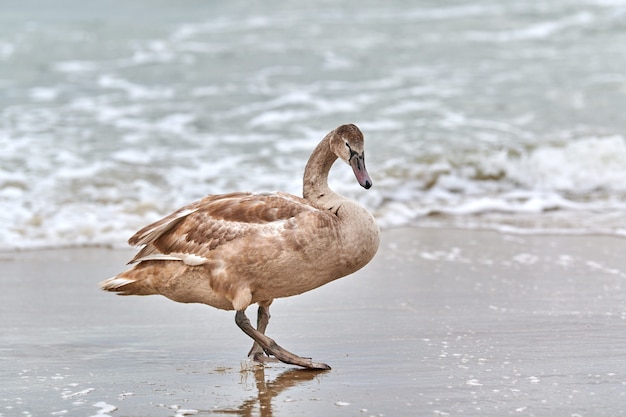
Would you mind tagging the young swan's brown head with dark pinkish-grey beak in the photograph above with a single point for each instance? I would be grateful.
(347, 144)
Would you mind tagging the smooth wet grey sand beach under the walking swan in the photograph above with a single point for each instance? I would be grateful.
(442, 322)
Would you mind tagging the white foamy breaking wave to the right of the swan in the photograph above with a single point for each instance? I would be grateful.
(568, 182)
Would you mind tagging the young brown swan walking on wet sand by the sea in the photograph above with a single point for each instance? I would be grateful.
(233, 250)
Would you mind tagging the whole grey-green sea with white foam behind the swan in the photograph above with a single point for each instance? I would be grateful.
(484, 114)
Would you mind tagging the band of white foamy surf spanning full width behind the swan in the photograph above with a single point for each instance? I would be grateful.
(573, 187)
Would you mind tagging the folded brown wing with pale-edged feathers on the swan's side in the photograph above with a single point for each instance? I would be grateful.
(192, 232)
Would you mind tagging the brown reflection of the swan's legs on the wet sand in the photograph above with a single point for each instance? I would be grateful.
(267, 390)
